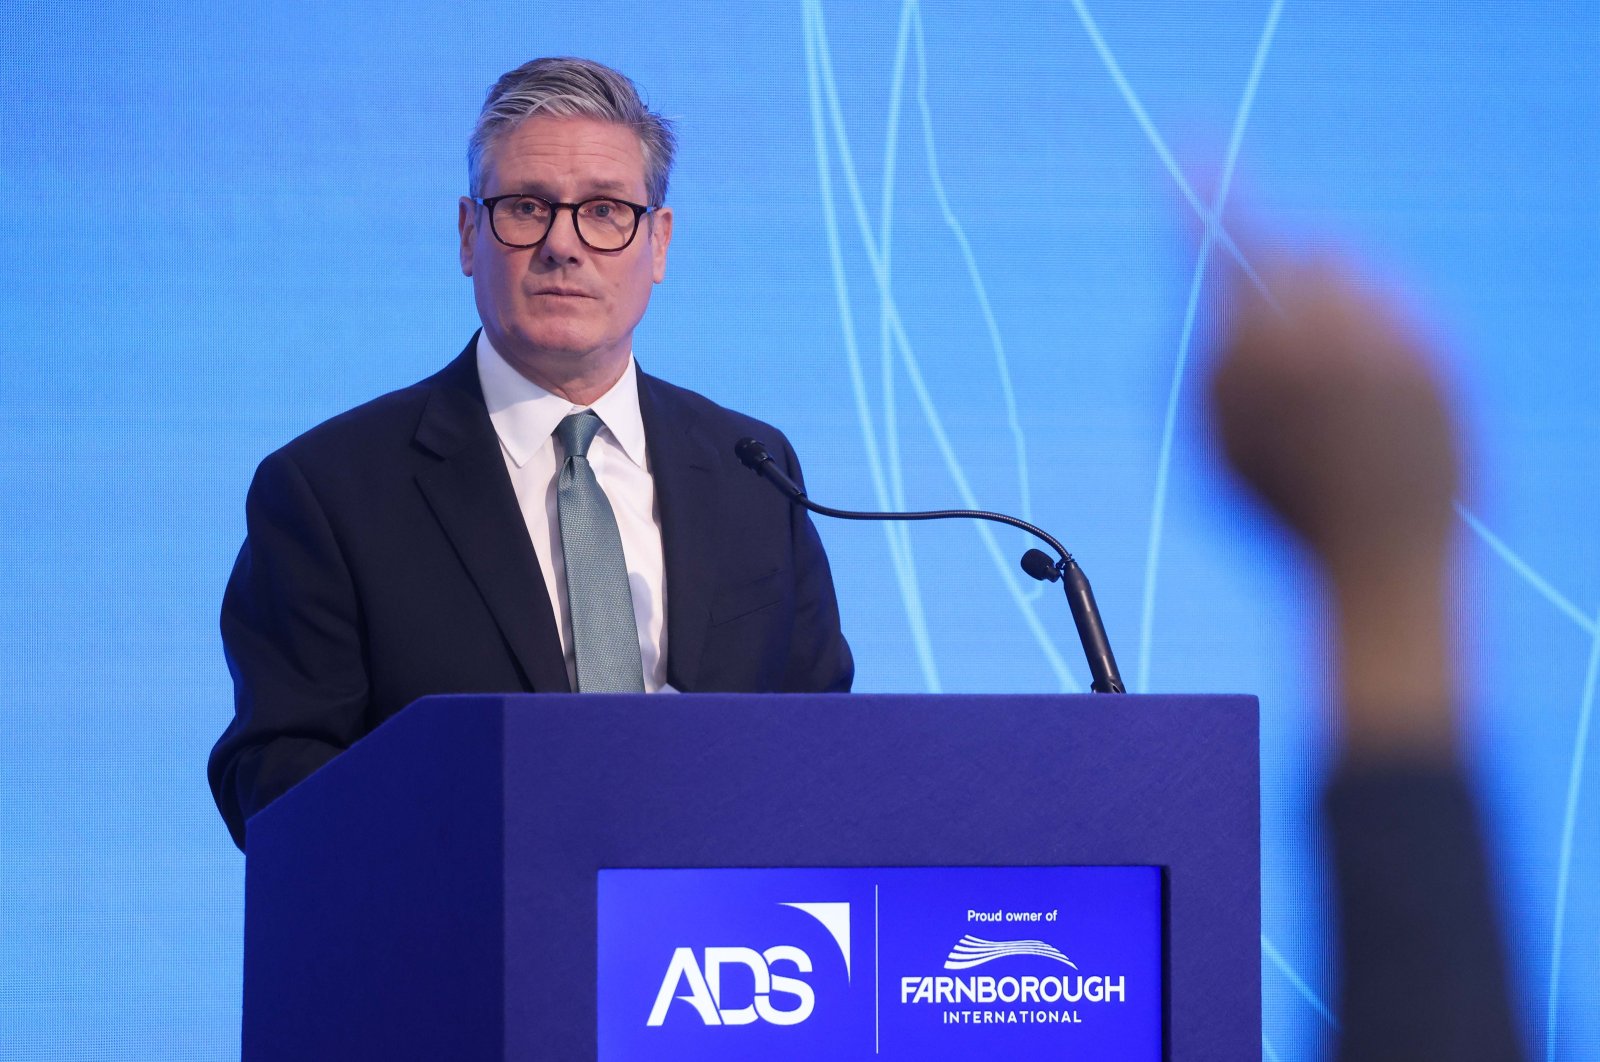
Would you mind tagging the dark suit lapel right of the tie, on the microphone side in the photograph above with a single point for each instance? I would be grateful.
(682, 463)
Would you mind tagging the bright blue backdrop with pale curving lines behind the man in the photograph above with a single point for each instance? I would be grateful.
(223, 225)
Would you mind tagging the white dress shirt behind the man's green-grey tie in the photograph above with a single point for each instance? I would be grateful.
(526, 418)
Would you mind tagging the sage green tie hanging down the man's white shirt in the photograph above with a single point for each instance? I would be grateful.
(606, 636)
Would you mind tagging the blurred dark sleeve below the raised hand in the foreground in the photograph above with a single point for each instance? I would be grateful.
(1423, 962)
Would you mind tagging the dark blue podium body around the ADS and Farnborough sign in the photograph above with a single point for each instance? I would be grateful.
(433, 892)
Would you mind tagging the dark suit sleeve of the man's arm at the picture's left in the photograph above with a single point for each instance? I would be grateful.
(292, 636)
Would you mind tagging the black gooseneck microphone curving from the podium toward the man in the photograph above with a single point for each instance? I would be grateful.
(1081, 599)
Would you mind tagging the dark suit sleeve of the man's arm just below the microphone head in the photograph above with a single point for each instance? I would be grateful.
(820, 658)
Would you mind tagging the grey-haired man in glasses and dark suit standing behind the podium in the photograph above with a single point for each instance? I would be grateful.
(471, 535)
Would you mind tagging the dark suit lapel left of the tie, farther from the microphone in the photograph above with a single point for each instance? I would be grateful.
(474, 503)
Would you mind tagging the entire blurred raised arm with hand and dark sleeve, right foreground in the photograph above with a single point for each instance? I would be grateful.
(1330, 412)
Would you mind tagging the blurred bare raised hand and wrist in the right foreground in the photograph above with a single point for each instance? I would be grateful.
(1332, 410)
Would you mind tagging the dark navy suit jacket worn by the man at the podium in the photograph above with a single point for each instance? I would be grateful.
(386, 559)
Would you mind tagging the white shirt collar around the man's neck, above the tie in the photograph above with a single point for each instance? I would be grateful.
(526, 415)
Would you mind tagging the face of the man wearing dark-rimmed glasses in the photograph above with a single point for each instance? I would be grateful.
(562, 311)
